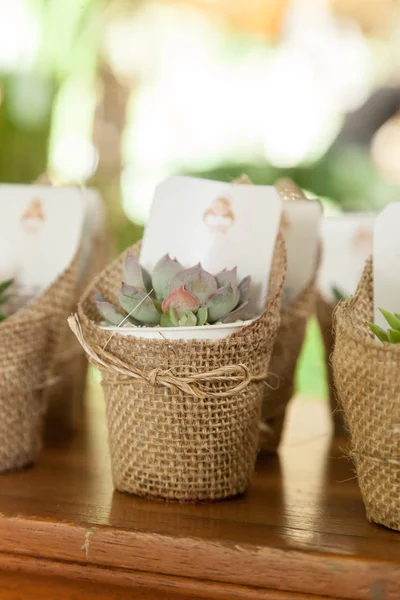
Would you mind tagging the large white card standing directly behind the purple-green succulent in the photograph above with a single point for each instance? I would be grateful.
(222, 225)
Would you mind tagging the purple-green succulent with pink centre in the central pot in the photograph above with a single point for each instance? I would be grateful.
(176, 297)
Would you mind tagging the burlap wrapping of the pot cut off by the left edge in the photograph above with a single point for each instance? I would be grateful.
(28, 340)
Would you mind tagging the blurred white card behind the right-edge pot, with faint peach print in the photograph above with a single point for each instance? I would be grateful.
(347, 241)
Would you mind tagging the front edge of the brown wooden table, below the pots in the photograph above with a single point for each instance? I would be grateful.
(130, 555)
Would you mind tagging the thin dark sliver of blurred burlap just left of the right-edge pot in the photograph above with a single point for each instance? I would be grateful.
(324, 314)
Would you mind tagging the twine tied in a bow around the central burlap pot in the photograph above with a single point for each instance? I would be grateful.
(183, 377)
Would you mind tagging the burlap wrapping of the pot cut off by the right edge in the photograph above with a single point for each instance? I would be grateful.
(367, 380)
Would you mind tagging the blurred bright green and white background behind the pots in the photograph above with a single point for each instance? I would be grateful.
(121, 94)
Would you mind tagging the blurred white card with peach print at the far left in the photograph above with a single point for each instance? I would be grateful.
(40, 231)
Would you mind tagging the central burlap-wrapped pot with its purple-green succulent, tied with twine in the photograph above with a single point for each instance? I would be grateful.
(183, 373)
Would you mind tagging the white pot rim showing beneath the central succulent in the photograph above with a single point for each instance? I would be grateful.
(204, 332)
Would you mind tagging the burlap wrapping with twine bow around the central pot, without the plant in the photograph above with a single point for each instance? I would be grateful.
(182, 415)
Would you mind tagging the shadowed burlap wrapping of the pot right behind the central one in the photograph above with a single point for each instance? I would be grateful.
(282, 367)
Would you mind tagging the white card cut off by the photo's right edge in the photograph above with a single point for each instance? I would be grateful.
(387, 262)
